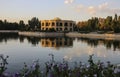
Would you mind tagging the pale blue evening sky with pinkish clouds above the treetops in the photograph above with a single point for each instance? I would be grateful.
(77, 10)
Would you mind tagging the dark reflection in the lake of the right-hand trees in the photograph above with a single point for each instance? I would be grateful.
(109, 44)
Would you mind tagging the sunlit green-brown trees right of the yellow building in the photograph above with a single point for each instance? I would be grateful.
(100, 24)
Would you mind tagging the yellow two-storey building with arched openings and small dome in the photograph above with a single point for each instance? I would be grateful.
(57, 25)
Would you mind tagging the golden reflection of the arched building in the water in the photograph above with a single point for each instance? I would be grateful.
(57, 42)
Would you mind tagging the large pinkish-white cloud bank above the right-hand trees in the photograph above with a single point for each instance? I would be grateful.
(93, 10)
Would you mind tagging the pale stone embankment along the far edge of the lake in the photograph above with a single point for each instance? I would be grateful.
(70, 34)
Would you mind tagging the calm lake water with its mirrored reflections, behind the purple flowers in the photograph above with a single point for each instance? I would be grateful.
(22, 49)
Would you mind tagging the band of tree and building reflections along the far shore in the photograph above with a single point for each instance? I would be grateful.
(60, 41)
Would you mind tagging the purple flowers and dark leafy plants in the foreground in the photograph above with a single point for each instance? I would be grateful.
(62, 69)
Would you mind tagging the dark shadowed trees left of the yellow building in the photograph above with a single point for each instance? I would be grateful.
(33, 25)
